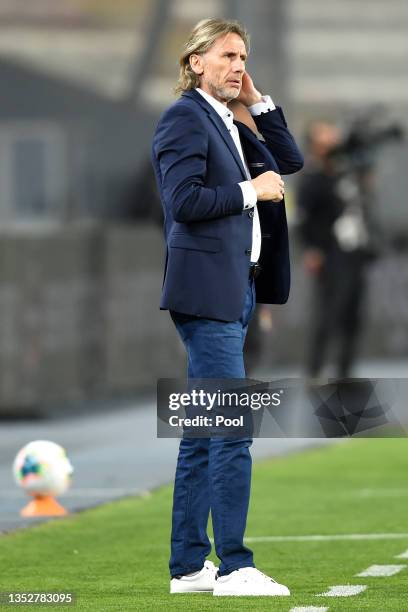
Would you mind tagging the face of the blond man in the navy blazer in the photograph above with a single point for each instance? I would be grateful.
(221, 67)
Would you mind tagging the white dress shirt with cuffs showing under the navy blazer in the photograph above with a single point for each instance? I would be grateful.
(248, 190)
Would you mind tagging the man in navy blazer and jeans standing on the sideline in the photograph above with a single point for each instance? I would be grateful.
(225, 225)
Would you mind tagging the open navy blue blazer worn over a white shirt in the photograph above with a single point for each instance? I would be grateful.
(208, 235)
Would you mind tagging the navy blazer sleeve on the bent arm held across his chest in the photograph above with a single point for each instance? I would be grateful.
(179, 153)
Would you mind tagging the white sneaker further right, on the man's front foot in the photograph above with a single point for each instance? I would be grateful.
(248, 581)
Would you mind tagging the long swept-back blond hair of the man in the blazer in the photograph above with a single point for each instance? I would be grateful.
(203, 36)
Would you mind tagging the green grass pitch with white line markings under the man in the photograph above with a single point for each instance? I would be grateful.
(115, 557)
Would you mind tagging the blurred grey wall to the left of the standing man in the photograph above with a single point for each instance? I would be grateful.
(79, 315)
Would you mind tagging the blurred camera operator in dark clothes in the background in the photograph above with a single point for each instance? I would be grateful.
(337, 232)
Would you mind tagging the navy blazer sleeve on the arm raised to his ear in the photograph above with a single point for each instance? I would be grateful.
(280, 142)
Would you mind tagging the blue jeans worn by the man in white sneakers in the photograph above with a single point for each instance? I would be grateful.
(212, 473)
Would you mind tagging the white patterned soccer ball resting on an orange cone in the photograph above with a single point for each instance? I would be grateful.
(42, 468)
